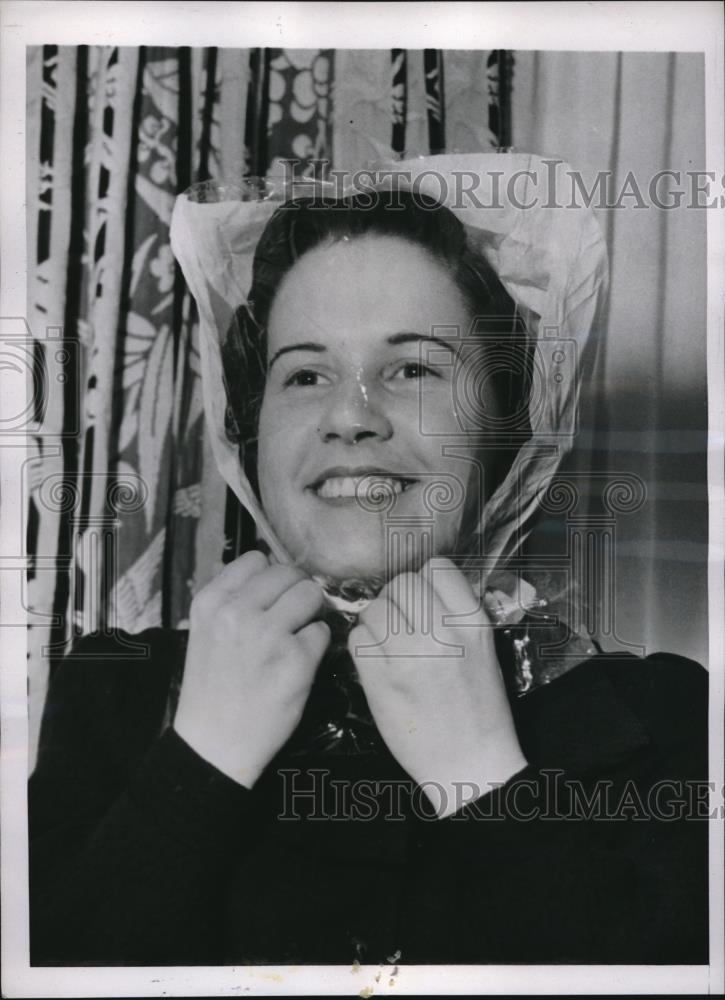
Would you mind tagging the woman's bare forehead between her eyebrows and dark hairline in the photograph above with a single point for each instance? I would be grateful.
(373, 282)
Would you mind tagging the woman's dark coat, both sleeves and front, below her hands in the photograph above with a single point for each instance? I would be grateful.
(142, 853)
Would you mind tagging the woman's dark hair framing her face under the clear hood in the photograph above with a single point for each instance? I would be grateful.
(302, 224)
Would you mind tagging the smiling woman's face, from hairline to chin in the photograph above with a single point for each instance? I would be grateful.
(359, 407)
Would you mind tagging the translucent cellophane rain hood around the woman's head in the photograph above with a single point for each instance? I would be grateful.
(551, 260)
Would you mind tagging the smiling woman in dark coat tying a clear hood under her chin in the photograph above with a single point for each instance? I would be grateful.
(281, 787)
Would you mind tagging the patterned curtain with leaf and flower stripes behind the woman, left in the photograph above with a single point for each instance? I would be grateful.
(127, 515)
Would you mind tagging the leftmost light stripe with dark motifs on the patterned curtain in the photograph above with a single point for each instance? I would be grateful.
(51, 101)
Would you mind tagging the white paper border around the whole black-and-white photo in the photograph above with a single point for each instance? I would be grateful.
(578, 26)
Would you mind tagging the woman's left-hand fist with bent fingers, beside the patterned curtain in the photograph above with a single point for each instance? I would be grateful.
(252, 655)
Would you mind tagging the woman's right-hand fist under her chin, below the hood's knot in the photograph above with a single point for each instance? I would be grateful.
(436, 690)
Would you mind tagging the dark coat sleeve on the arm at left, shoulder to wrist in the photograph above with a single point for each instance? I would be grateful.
(132, 834)
